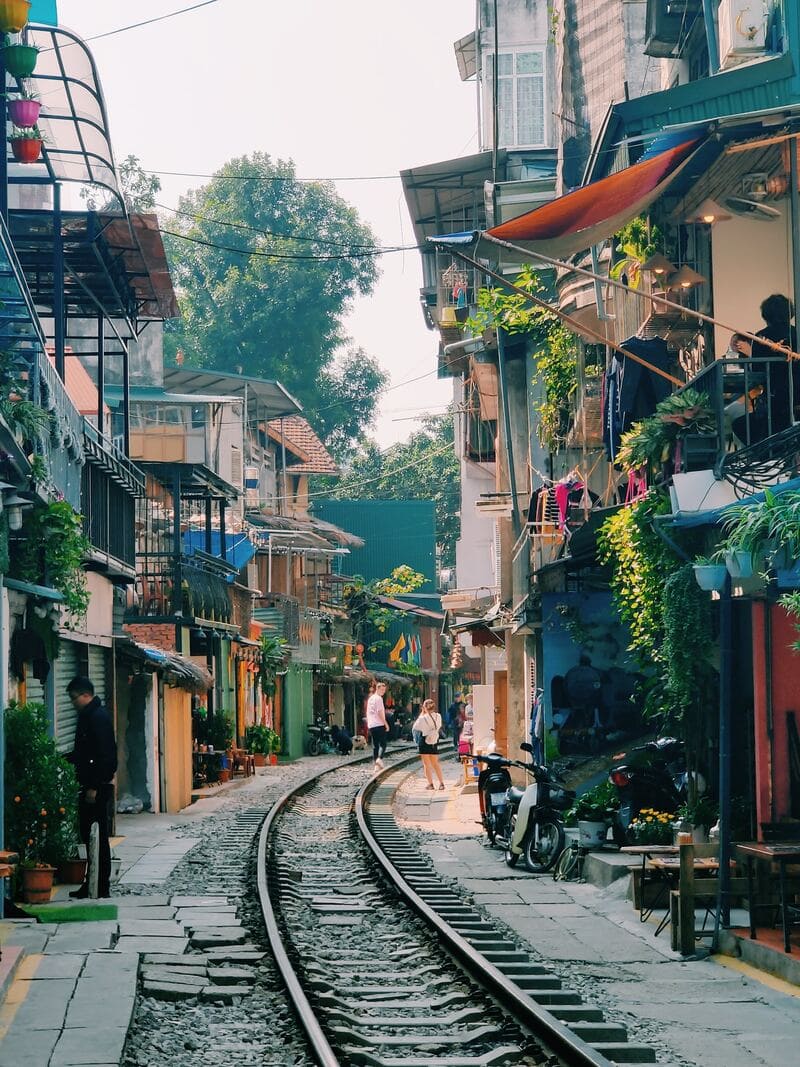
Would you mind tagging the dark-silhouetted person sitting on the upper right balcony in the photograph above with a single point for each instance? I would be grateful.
(774, 410)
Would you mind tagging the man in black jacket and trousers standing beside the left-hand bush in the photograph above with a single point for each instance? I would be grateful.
(95, 766)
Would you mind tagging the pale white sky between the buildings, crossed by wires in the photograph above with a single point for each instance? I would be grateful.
(345, 88)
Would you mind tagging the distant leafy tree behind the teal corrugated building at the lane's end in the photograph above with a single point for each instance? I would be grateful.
(424, 468)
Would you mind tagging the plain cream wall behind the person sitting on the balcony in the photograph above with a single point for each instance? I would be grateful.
(750, 261)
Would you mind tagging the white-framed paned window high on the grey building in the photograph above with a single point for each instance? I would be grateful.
(521, 117)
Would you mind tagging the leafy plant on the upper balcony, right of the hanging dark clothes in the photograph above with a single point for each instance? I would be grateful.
(651, 442)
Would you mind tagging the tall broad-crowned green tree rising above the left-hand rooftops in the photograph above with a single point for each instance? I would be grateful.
(278, 314)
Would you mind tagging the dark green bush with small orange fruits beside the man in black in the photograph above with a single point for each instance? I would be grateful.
(41, 790)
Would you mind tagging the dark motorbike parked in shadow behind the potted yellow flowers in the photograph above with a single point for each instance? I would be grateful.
(653, 775)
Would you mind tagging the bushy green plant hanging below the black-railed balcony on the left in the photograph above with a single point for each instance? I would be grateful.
(52, 551)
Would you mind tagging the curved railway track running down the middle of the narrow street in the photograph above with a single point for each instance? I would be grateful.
(386, 965)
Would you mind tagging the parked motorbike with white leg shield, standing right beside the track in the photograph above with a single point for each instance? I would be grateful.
(530, 822)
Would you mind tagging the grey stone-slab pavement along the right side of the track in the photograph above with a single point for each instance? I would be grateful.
(714, 1013)
